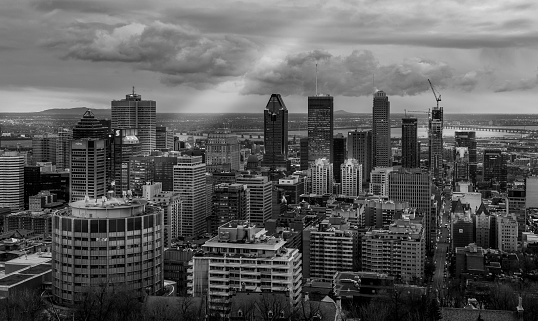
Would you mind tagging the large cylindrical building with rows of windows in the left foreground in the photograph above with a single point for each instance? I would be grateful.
(123, 248)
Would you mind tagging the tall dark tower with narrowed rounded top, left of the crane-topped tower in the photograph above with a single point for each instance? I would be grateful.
(382, 153)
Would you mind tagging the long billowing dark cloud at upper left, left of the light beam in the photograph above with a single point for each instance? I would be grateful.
(180, 53)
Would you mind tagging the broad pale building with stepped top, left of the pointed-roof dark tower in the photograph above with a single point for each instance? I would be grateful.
(222, 152)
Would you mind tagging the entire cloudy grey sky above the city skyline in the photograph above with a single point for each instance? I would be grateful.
(230, 56)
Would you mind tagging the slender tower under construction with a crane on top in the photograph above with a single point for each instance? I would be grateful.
(435, 142)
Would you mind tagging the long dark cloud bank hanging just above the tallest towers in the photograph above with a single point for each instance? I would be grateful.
(346, 75)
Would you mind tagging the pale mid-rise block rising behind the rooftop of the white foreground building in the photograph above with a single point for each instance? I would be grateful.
(260, 189)
